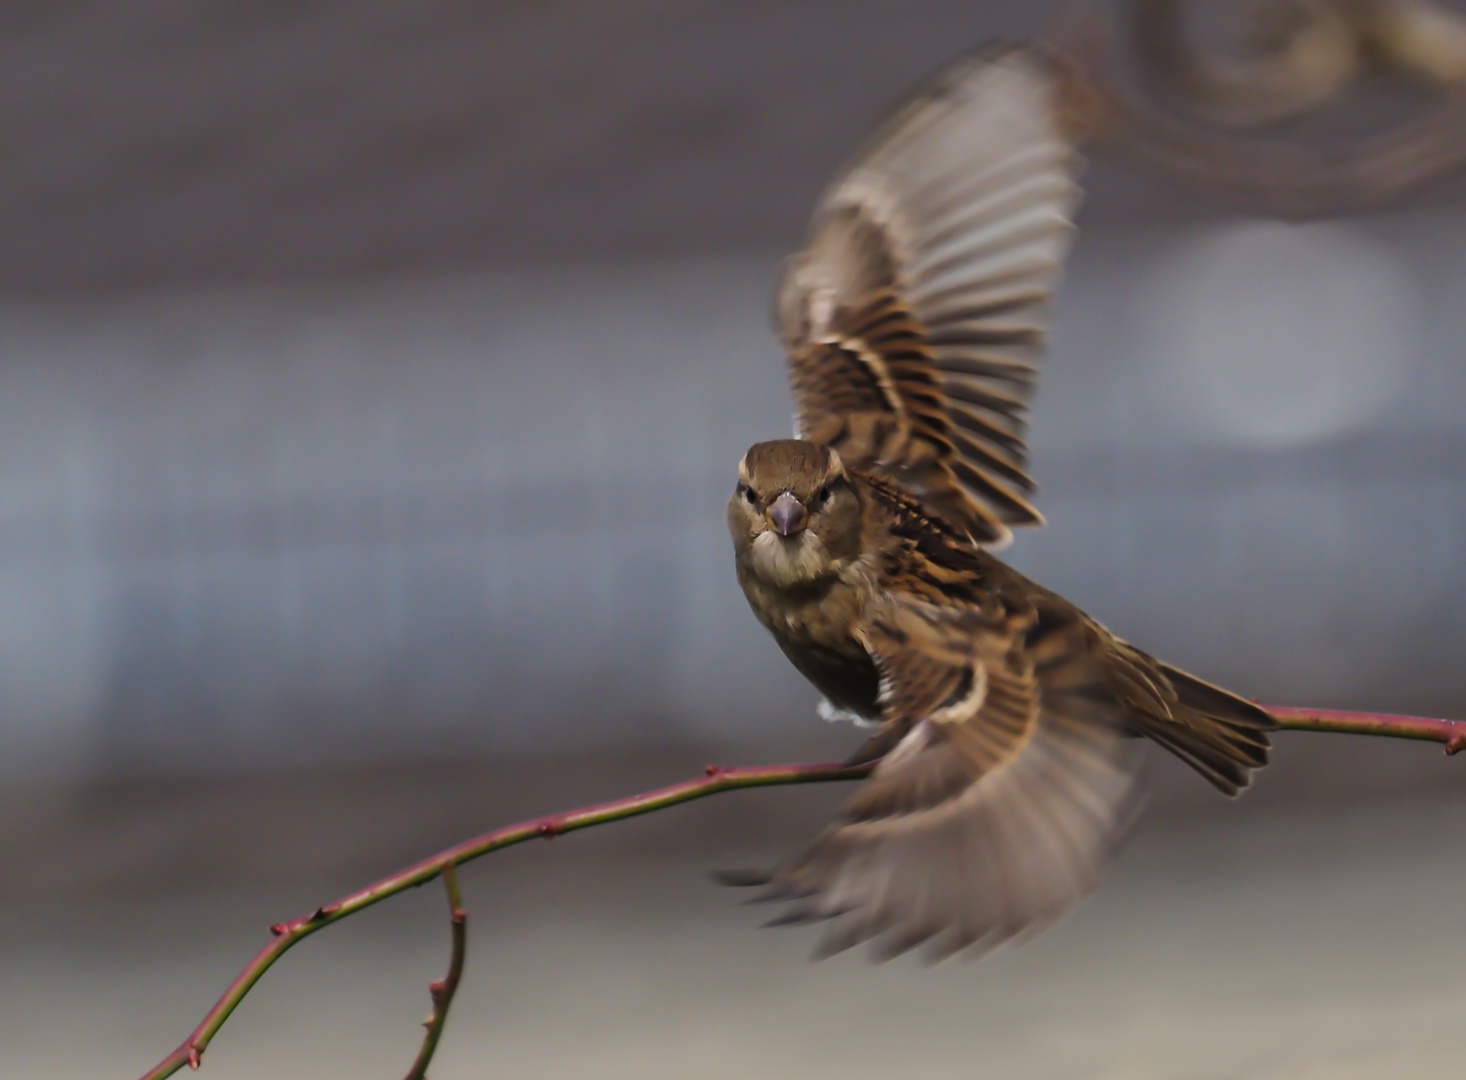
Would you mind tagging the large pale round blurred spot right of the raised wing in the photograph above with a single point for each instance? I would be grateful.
(1279, 335)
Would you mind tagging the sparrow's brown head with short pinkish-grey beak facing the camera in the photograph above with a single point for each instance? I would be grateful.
(795, 517)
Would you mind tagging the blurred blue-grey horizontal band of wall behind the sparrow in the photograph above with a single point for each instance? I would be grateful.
(248, 528)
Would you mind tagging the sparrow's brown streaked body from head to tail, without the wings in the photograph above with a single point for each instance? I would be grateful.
(898, 555)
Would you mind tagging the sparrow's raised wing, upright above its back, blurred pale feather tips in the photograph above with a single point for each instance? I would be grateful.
(916, 316)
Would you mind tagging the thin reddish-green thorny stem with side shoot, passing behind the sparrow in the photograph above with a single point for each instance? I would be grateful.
(1448, 732)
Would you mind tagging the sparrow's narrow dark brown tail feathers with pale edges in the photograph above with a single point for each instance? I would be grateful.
(1225, 738)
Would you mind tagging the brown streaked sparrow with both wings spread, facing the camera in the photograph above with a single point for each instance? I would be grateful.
(1009, 725)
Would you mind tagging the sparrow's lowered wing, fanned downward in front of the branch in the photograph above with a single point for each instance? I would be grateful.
(999, 808)
